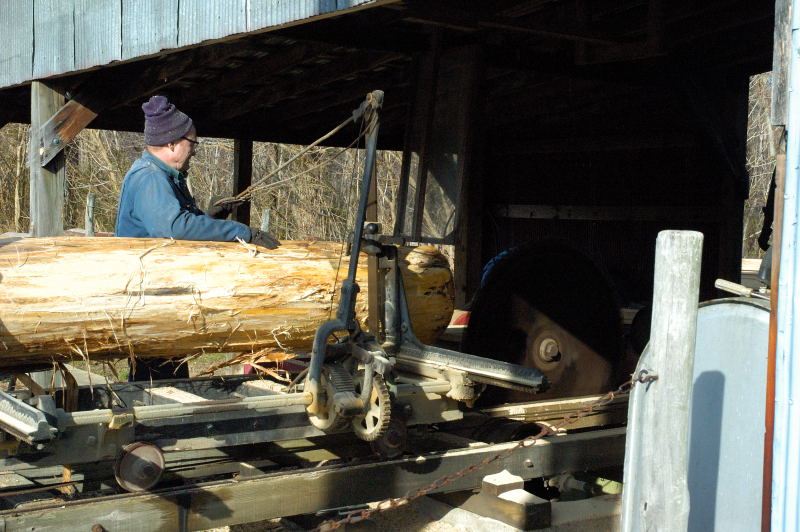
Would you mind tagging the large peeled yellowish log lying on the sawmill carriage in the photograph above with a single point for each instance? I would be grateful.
(104, 298)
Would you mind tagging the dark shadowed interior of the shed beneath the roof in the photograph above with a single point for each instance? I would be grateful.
(599, 122)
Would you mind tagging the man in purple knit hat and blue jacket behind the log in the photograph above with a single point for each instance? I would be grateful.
(155, 203)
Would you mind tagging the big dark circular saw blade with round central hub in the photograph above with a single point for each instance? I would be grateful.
(548, 306)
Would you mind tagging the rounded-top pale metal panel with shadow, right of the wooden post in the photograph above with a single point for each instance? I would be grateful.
(726, 446)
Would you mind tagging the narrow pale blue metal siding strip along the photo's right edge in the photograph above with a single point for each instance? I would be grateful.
(786, 458)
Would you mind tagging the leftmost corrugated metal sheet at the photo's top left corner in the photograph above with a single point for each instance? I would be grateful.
(16, 60)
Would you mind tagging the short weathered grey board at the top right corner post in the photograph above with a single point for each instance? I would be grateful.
(781, 56)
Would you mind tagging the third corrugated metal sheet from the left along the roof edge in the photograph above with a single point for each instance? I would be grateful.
(98, 33)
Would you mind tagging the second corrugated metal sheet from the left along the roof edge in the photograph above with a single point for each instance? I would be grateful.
(54, 37)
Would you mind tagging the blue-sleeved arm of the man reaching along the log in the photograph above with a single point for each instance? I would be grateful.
(161, 213)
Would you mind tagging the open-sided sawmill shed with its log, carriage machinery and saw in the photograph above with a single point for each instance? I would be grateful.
(584, 359)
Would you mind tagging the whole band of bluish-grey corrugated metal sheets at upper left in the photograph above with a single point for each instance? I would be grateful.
(52, 37)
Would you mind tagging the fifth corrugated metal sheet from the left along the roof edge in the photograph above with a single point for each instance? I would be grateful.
(201, 20)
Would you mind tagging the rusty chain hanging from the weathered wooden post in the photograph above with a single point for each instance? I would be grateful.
(643, 377)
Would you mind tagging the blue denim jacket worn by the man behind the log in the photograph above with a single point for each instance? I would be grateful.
(155, 203)
